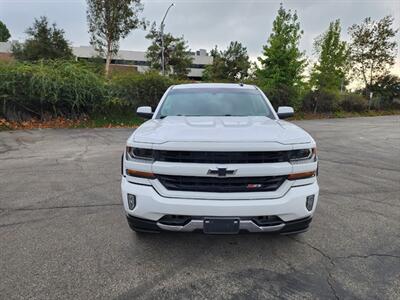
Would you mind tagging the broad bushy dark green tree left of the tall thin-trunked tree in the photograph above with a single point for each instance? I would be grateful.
(44, 42)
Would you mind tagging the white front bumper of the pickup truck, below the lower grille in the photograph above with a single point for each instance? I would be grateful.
(151, 206)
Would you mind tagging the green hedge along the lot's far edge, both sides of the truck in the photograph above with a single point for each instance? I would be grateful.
(70, 89)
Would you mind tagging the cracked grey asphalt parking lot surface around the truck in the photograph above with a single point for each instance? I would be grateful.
(63, 234)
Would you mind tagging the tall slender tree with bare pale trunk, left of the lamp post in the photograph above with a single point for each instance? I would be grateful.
(109, 22)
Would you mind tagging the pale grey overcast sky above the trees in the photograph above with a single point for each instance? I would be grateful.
(204, 23)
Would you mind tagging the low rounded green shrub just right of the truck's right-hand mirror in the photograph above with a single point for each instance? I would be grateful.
(321, 101)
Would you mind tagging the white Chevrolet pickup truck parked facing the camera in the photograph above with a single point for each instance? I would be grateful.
(217, 158)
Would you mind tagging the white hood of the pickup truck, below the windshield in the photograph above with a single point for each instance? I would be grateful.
(219, 129)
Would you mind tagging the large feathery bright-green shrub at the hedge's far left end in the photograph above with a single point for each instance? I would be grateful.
(58, 88)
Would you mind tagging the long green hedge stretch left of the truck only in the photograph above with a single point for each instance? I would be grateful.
(70, 89)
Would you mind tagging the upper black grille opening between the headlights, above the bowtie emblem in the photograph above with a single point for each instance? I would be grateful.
(221, 157)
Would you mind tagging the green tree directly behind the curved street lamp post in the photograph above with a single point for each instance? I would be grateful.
(177, 57)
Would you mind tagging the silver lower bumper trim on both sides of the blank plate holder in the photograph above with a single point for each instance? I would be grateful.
(244, 225)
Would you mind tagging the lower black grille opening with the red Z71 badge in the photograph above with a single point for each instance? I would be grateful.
(221, 185)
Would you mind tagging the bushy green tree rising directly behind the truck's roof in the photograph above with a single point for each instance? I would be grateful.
(231, 64)
